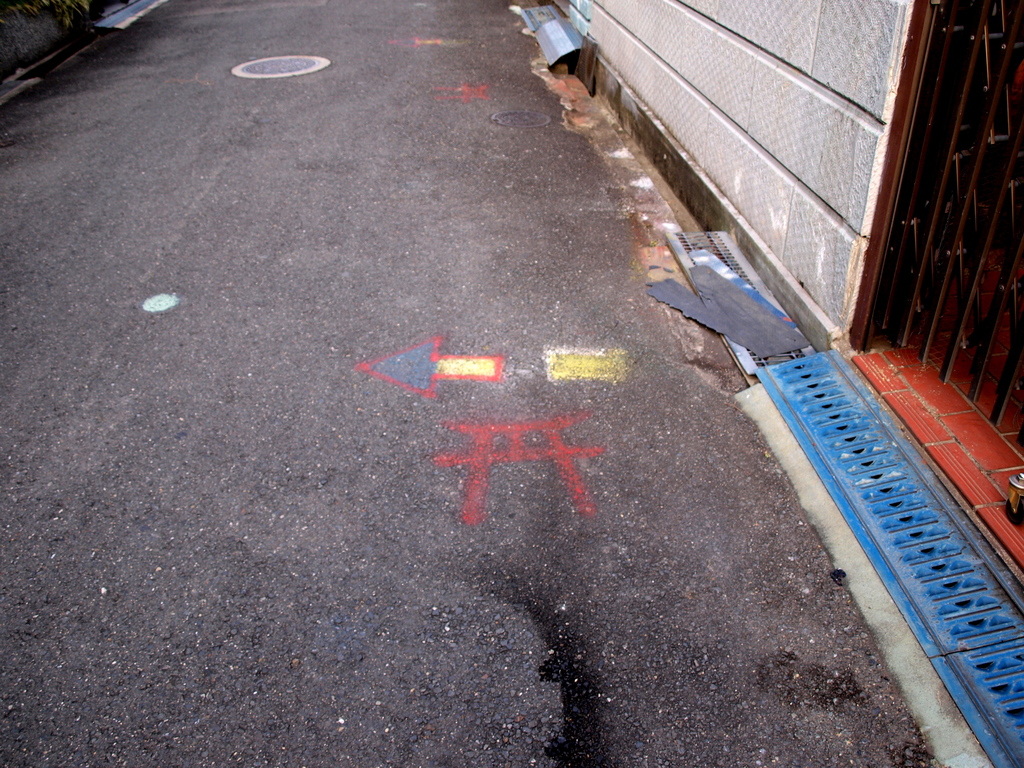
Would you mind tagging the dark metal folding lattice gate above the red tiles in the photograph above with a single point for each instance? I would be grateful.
(951, 281)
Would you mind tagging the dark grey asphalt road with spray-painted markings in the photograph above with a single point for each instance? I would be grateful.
(227, 543)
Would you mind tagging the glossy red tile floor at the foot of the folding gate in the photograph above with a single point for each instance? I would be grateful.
(977, 457)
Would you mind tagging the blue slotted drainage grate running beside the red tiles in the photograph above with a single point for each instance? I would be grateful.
(963, 607)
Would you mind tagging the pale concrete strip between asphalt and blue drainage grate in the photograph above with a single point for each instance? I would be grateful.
(948, 734)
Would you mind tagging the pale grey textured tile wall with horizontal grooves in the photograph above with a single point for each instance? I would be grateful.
(782, 103)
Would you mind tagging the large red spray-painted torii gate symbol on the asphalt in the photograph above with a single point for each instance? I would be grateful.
(527, 442)
